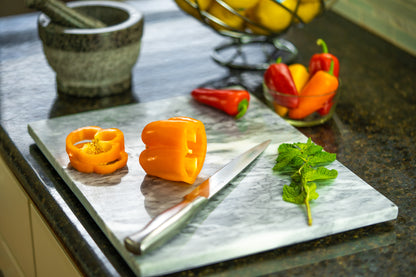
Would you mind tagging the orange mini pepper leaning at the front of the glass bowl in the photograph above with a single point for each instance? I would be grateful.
(320, 88)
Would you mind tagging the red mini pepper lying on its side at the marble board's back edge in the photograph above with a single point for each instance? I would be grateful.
(232, 101)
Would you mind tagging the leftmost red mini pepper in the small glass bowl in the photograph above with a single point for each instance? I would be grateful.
(278, 78)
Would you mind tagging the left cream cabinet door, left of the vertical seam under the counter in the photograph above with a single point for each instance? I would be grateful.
(15, 229)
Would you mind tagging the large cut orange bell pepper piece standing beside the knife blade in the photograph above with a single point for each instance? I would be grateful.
(175, 149)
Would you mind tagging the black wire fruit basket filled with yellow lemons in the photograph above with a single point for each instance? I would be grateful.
(254, 27)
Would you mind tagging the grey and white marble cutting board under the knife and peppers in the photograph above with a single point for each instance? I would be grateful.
(247, 217)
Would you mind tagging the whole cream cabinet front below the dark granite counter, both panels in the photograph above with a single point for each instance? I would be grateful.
(27, 246)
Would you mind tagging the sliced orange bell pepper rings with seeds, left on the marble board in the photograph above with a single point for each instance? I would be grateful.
(93, 149)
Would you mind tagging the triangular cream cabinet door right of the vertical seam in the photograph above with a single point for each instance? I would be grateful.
(50, 258)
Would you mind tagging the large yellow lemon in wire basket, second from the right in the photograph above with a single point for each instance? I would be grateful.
(271, 15)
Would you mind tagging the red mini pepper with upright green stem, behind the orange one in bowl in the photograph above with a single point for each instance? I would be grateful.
(322, 61)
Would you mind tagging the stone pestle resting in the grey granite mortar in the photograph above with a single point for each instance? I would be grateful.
(61, 14)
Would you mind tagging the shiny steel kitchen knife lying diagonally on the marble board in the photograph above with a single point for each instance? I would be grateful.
(165, 225)
